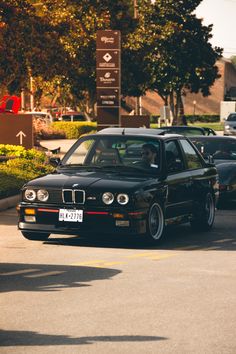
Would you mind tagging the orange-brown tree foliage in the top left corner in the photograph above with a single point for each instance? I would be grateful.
(29, 46)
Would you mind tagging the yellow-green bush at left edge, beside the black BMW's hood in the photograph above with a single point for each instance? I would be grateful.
(26, 165)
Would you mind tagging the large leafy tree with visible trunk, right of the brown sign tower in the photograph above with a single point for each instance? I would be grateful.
(182, 58)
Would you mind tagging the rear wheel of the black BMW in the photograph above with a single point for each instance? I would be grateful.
(204, 217)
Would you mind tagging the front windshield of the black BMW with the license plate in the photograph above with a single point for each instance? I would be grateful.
(116, 153)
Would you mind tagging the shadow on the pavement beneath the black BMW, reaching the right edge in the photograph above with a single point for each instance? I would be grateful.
(221, 237)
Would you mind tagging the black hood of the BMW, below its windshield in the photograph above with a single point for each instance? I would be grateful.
(85, 179)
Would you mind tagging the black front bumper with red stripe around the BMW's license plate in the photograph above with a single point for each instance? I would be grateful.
(94, 221)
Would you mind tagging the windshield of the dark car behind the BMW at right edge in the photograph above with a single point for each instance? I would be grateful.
(222, 149)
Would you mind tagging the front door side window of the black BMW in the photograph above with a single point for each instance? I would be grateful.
(174, 161)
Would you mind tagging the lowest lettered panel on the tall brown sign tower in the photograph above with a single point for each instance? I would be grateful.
(108, 97)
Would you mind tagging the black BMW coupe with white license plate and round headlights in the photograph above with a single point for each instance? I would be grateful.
(121, 180)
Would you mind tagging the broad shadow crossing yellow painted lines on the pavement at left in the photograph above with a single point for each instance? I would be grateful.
(49, 278)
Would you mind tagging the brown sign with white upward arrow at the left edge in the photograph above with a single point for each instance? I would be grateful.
(16, 129)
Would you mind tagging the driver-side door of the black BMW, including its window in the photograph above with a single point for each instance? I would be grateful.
(179, 181)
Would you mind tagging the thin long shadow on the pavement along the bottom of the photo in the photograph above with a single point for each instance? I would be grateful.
(30, 338)
